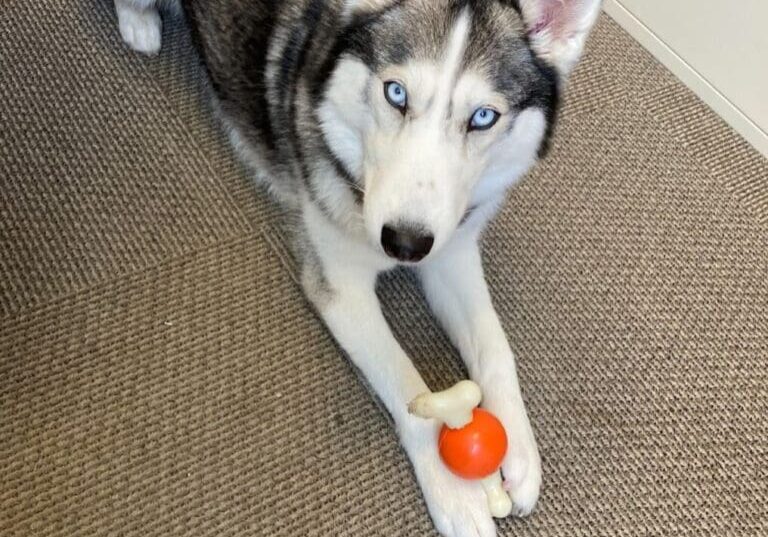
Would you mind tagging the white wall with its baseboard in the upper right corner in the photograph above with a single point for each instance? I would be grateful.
(719, 49)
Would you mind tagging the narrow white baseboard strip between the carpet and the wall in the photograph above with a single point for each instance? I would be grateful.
(688, 75)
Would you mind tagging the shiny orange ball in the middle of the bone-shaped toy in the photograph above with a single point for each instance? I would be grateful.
(476, 450)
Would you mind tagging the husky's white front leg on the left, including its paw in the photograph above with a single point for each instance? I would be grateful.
(343, 291)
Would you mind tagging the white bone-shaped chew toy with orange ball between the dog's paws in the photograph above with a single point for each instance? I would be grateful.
(472, 441)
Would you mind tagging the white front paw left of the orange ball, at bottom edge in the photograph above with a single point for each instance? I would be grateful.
(459, 508)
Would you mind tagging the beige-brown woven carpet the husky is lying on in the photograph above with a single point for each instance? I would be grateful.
(160, 373)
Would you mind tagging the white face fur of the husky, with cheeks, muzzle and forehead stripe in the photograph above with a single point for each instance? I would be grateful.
(425, 169)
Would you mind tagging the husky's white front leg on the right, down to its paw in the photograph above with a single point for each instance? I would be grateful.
(455, 287)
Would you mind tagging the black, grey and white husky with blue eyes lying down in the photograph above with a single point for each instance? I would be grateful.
(390, 130)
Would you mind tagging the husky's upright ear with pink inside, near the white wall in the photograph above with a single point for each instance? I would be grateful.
(558, 29)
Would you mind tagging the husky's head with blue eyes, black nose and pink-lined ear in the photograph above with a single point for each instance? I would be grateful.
(438, 106)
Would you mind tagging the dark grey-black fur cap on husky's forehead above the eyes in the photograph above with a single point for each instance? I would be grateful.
(387, 37)
